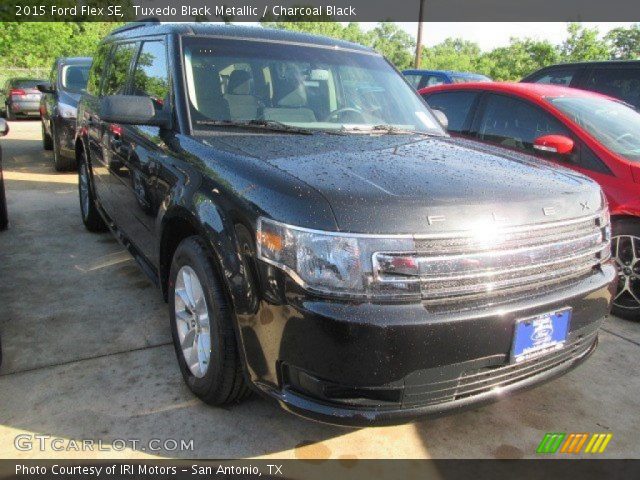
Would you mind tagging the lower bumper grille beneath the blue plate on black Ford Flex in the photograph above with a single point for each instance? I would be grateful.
(477, 381)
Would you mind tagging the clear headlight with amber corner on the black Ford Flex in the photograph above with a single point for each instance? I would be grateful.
(338, 263)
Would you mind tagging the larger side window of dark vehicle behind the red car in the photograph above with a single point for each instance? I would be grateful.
(618, 82)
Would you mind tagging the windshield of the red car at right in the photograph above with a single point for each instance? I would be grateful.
(612, 123)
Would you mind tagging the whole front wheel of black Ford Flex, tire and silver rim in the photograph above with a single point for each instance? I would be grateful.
(217, 379)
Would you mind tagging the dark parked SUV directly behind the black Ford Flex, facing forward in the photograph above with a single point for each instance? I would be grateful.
(58, 108)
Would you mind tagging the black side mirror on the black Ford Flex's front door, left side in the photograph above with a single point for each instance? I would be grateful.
(131, 110)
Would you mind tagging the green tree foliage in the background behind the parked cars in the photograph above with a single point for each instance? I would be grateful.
(37, 44)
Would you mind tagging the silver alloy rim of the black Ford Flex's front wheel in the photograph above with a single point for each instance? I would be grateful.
(192, 321)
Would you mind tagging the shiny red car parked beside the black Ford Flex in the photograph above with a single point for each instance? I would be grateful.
(585, 131)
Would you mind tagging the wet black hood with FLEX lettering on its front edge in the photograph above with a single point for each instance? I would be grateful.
(408, 184)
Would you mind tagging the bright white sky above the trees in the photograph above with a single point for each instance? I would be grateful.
(496, 34)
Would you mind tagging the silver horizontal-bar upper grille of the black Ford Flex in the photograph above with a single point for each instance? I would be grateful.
(502, 262)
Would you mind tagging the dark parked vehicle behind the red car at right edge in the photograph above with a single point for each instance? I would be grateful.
(619, 79)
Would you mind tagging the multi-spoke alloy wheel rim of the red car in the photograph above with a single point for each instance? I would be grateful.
(626, 253)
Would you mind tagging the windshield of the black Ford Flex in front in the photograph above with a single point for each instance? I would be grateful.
(306, 87)
